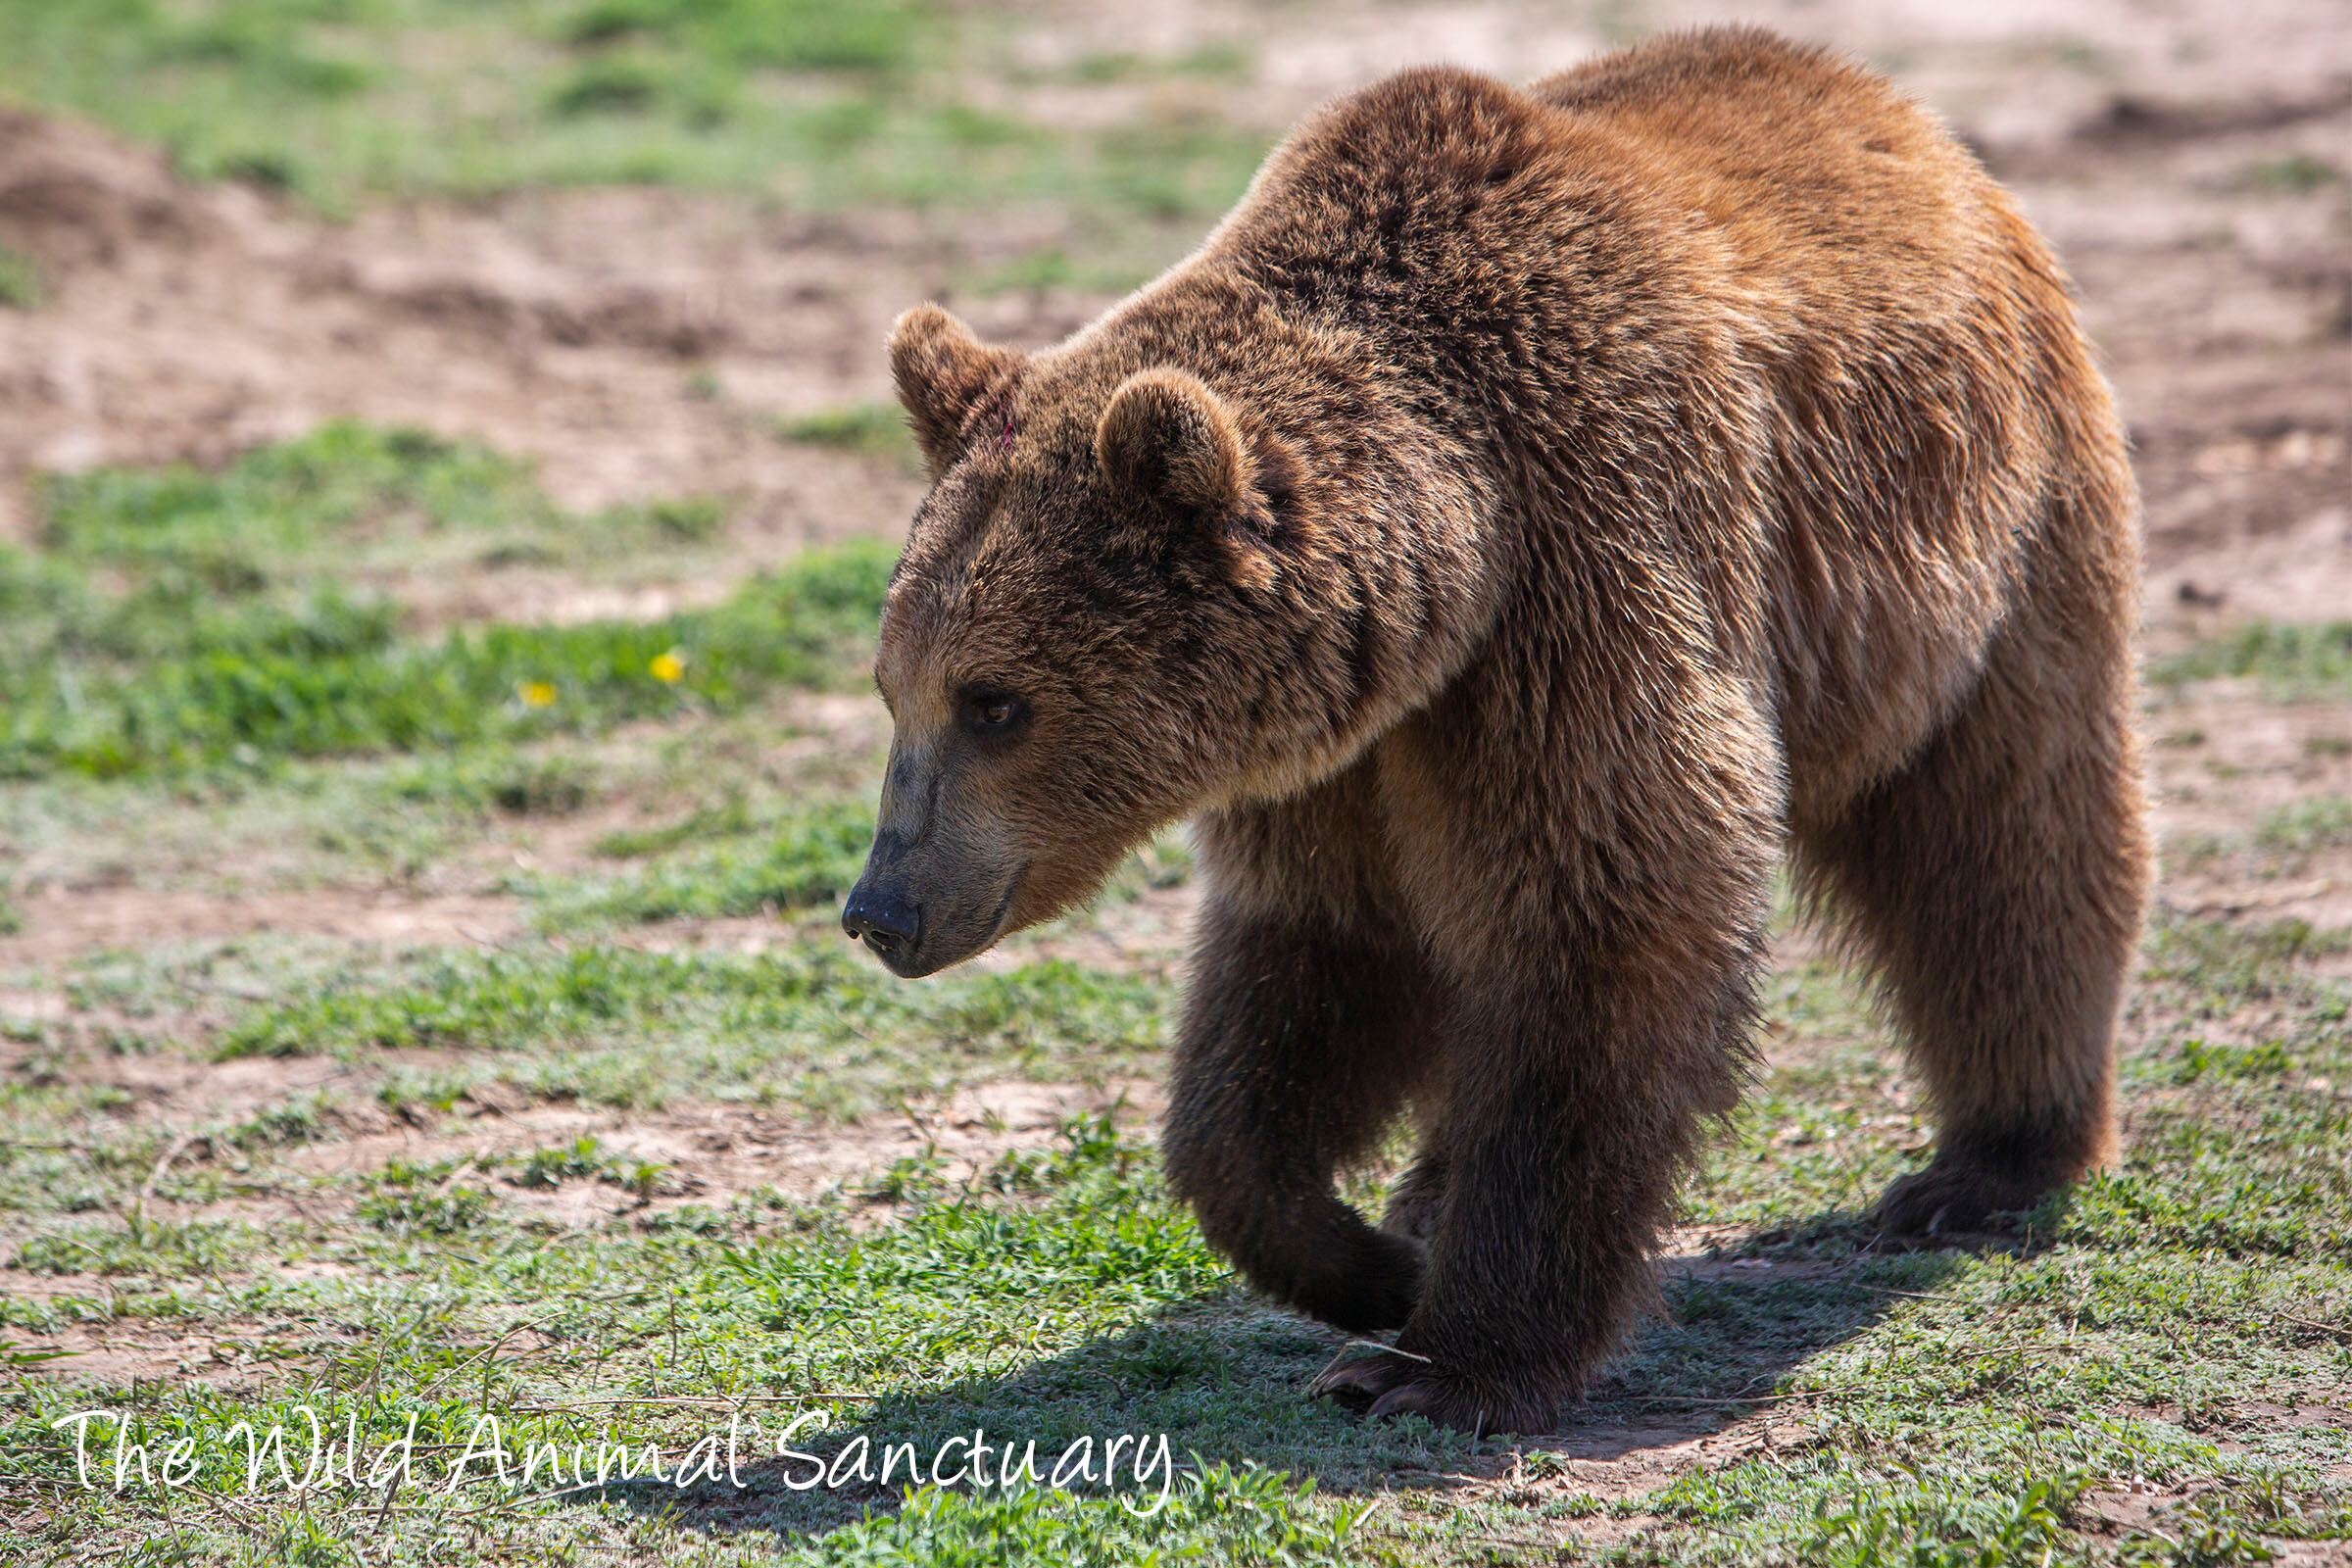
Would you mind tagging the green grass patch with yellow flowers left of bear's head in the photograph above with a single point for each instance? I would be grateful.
(185, 619)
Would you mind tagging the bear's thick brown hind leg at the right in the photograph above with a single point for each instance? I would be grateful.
(1998, 885)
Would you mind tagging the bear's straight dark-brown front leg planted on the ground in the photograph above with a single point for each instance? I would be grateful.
(1570, 1120)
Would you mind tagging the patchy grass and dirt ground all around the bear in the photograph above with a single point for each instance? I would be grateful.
(448, 478)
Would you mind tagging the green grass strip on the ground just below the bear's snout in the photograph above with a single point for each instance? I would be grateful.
(813, 1026)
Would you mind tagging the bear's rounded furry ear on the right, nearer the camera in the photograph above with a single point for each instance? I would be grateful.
(1172, 443)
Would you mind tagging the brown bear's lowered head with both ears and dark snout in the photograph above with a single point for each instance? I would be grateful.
(1114, 610)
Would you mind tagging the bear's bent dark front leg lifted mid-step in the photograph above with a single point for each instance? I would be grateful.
(1299, 1047)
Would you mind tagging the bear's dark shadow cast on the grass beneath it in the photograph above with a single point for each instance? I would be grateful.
(1227, 1379)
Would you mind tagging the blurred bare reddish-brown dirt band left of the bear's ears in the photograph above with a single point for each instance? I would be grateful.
(636, 342)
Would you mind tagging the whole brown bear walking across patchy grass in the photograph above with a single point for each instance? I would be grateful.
(1523, 518)
